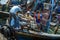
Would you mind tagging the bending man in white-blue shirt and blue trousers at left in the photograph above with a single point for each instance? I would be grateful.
(14, 19)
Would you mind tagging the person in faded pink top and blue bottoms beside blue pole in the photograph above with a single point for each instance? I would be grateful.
(46, 20)
